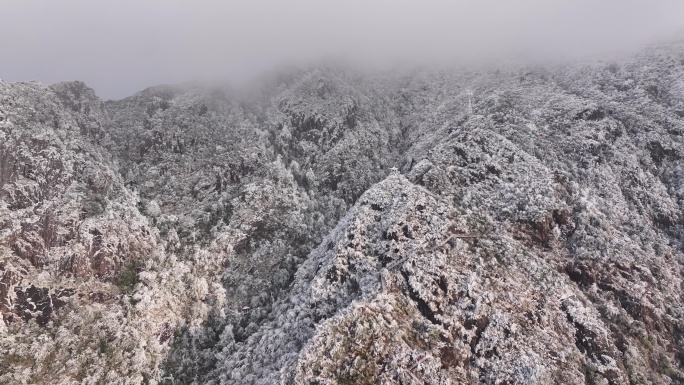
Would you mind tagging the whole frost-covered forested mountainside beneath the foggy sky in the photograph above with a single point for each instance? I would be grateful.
(333, 227)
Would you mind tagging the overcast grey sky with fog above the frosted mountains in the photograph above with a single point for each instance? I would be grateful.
(120, 47)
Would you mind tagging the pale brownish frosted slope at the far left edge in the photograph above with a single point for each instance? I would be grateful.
(71, 241)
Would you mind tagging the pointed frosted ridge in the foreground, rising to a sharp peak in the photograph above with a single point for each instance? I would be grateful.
(407, 288)
